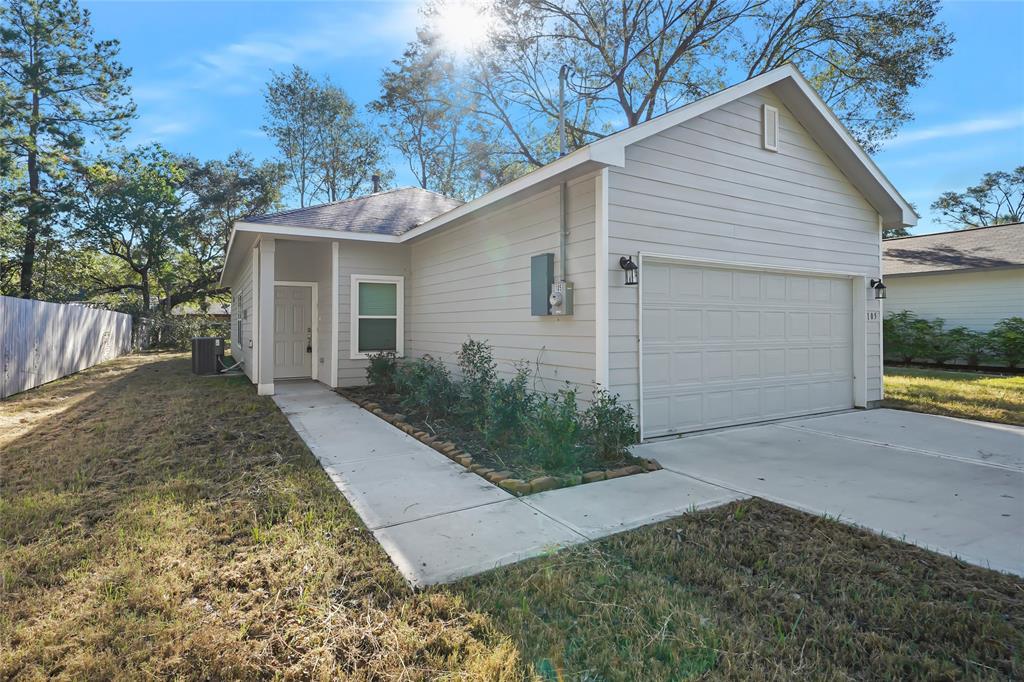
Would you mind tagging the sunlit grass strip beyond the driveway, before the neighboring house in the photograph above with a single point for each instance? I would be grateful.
(967, 395)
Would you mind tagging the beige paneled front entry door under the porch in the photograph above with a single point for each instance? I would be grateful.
(292, 332)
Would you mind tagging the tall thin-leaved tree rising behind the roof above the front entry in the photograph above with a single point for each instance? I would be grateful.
(328, 152)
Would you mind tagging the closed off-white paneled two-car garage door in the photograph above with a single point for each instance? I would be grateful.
(731, 347)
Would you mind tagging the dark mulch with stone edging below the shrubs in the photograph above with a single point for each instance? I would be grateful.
(515, 472)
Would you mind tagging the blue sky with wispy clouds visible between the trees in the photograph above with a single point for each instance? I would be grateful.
(199, 70)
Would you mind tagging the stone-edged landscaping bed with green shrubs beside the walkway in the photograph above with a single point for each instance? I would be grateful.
(502, 428)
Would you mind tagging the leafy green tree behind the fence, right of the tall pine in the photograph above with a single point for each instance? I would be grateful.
(132, 210)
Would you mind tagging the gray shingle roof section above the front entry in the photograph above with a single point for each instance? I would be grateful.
(392, 212)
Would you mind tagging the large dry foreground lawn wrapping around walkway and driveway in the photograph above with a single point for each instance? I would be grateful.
(156, 525)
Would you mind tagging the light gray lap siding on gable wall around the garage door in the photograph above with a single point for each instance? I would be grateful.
(707, 190)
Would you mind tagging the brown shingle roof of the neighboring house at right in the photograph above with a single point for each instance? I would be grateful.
(999, 246)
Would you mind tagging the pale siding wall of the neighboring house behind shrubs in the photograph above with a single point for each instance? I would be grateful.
(976, 300)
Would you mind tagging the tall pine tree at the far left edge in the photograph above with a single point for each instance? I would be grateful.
(59, 87)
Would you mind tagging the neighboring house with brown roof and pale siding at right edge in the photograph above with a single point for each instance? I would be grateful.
(969, 278)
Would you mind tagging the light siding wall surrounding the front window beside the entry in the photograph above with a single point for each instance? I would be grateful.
(365, 259)
